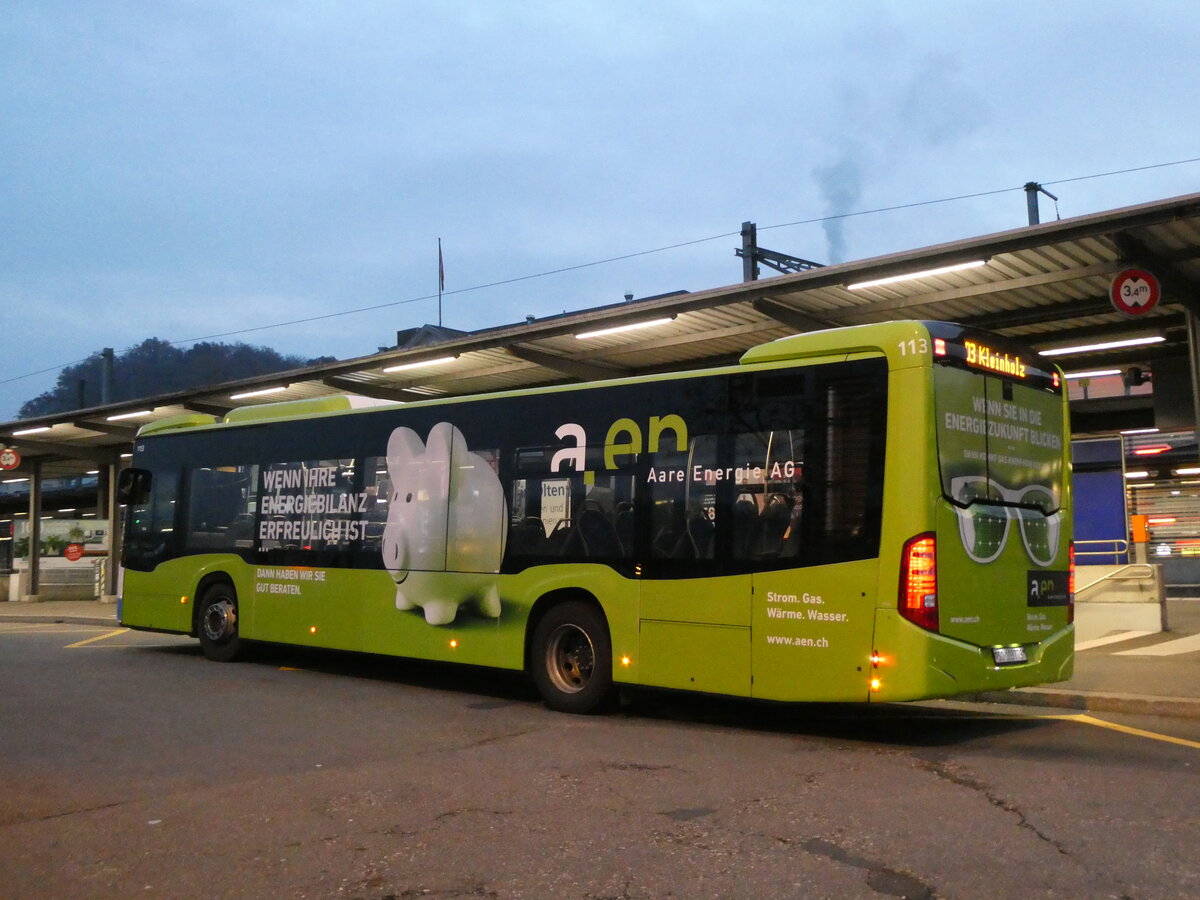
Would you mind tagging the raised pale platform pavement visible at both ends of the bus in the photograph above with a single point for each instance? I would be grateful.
(1124, 673)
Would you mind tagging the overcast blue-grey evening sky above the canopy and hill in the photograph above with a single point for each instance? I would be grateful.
(183, 170)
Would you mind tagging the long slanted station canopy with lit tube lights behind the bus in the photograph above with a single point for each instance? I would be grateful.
(1048, 285)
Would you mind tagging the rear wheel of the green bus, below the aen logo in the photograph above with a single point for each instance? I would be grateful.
(572, 658)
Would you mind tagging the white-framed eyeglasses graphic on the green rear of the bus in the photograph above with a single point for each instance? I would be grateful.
(985, 526)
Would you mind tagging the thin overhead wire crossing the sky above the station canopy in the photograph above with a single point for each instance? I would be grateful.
(635, 255)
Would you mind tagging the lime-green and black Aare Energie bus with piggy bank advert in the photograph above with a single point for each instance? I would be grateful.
(879, 513)
